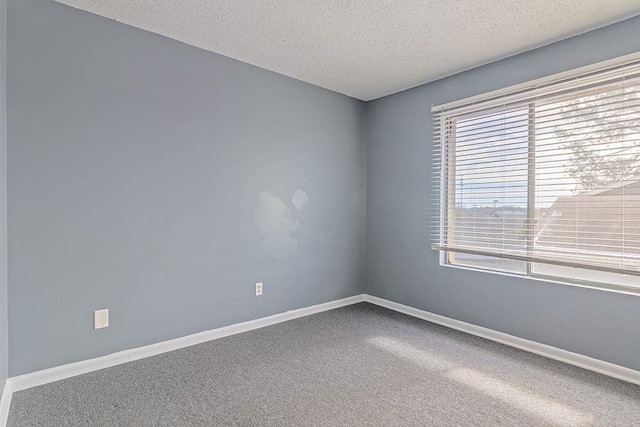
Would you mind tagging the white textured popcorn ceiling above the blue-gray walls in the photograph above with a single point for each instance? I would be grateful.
(365, 48)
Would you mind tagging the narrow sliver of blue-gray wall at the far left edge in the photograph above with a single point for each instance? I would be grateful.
(4, 319)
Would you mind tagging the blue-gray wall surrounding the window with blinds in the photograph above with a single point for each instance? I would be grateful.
(400, 264)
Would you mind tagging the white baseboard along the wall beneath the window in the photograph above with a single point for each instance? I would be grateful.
(582, 361)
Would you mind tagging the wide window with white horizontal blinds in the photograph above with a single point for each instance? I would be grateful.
(544, 181)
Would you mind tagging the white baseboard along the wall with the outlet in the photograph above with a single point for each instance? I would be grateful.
(46, 376)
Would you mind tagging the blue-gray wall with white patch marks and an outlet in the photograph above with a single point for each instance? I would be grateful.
(156, 179)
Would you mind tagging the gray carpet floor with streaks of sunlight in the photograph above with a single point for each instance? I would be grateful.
(360, 365)
